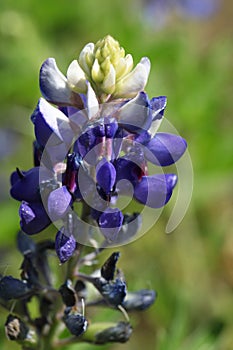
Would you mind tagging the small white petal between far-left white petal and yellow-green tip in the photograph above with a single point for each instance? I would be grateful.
(76, 77)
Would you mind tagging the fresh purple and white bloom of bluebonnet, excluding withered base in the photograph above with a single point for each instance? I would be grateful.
(92, 152)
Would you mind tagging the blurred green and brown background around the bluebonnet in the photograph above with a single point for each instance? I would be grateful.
(191, 268)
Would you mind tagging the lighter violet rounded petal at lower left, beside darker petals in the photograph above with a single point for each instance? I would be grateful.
(59, 202)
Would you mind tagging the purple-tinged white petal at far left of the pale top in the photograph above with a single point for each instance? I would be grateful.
(53, 83)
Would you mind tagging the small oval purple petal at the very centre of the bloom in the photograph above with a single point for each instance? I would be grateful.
(105, 175)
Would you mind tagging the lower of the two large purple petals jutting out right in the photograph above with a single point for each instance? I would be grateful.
(156, 190)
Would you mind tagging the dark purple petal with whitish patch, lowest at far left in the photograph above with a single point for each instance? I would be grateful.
(33, 217)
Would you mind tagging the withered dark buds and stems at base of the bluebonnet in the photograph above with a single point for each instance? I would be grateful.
(36, 282)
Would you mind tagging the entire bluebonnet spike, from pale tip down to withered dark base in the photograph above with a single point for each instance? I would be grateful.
(96, 133)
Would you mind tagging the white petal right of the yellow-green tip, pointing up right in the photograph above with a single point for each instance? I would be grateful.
(135, 81)
